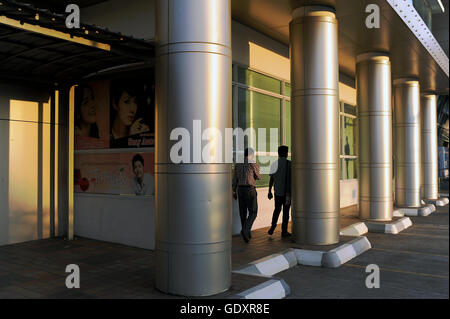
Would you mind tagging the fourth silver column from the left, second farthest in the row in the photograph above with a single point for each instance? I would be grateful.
(407, 142)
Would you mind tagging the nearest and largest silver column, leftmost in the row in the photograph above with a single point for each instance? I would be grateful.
(193, 198)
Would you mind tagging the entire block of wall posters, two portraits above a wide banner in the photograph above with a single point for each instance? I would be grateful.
(114, 114)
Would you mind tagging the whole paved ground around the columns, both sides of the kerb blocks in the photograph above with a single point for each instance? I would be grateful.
(413, 264)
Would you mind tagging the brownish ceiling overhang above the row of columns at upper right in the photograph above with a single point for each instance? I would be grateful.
(409, 56)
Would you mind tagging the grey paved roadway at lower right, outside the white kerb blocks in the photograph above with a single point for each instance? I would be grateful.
(413, 264)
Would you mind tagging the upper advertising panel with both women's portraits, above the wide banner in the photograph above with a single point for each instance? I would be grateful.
(116, 113)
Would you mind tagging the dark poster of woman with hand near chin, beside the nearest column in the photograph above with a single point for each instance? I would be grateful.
(131, 113)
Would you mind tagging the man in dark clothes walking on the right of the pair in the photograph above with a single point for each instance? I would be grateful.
(280, 178)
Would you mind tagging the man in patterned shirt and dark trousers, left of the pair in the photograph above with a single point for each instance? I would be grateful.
(244, 182)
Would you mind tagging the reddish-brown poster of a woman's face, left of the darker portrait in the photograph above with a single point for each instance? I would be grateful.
(91, 125)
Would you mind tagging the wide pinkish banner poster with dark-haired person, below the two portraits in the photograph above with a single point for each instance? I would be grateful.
(117, 174)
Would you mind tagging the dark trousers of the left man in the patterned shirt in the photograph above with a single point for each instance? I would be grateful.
(248, 200)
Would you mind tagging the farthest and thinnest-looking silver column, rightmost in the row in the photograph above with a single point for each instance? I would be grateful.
(428, 117)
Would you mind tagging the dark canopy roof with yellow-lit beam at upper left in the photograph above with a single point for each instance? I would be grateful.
(36, 45)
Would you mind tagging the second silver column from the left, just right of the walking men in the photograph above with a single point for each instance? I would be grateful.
(315, 125)
